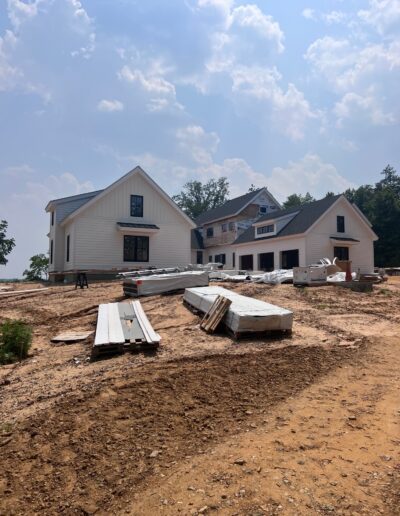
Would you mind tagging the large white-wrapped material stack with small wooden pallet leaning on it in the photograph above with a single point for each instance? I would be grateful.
(245, 315)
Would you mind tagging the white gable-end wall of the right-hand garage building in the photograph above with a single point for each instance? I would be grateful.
(319, 244)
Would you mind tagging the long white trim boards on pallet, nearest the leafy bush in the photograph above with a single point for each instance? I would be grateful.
(121, 327)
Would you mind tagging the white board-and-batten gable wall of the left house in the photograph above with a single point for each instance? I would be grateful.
(98, 243)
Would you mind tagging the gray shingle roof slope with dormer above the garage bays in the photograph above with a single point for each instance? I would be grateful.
(305, 218)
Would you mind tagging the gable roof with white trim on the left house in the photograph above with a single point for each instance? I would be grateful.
(99, 194)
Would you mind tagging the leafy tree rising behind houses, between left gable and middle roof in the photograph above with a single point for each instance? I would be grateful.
(197, 197)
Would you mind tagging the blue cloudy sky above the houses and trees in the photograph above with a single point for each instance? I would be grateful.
(296, 96)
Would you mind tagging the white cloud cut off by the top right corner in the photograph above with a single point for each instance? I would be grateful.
(382, 15)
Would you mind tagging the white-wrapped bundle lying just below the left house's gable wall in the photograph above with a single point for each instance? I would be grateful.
(164, 283)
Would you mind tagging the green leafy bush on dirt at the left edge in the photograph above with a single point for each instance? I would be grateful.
(15, 341)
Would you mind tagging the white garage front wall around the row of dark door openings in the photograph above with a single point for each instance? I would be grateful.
(274, 245)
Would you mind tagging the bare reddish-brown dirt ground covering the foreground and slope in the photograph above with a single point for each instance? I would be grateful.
(302, 425)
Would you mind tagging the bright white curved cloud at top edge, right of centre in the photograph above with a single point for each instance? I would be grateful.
(252, 17)
